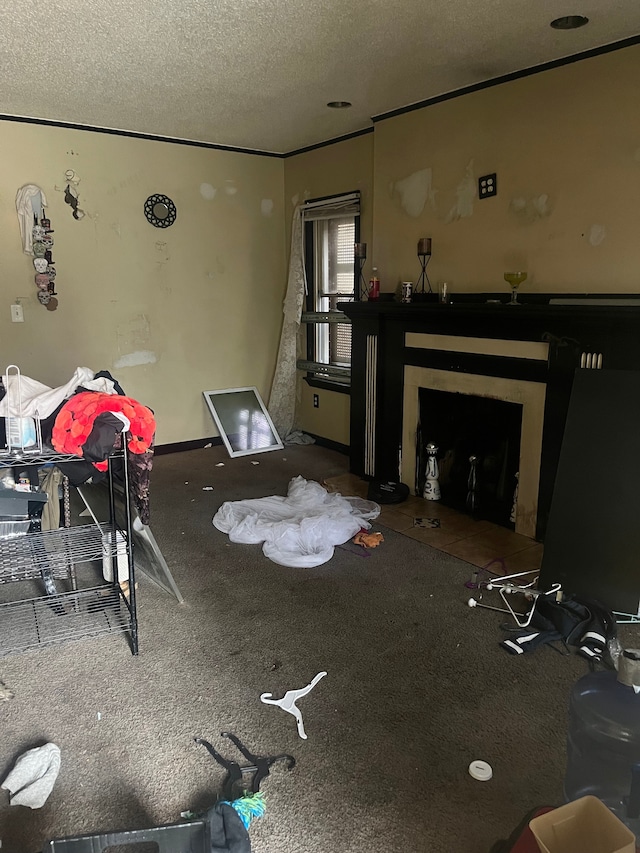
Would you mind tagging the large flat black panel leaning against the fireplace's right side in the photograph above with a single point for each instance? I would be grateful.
(593, 537)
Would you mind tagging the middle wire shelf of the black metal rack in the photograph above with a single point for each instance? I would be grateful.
(53, 551)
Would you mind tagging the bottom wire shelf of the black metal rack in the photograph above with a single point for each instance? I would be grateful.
(51, 619)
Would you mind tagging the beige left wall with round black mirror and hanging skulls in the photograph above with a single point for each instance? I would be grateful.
(199, 302)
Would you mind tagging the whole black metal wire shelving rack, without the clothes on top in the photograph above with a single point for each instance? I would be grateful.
(83, 611)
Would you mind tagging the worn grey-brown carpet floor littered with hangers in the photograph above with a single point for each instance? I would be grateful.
(417, 688)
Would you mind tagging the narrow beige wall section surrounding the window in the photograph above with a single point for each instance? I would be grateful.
(337, 168)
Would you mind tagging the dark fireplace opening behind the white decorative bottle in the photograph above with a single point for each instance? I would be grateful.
(478, 441)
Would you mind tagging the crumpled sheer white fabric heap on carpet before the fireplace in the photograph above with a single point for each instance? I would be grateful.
(300, 530)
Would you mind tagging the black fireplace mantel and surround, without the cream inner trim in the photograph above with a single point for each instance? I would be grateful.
(594, 330)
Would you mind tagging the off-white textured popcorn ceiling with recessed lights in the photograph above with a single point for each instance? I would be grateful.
(257, 74)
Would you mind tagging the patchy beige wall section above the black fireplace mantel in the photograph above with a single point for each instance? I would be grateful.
(565, 145)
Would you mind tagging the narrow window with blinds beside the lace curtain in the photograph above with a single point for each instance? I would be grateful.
(331, 228)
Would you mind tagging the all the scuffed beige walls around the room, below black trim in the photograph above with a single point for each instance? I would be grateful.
(204, 297)
